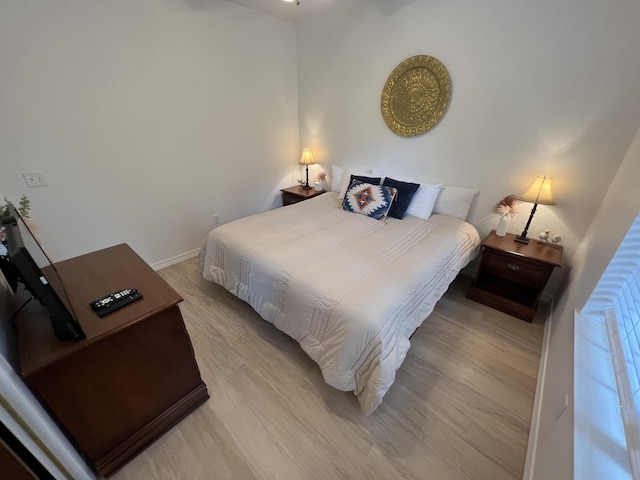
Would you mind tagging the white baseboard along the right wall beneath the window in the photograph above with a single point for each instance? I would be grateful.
(532, 445)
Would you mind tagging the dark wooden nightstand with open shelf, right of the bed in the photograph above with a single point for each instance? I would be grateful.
(513, 275)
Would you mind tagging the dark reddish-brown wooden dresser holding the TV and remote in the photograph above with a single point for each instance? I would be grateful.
(131, 379)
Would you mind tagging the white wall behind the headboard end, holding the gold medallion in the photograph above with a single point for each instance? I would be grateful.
(538, 88)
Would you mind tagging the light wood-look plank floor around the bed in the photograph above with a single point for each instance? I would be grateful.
(460, 407)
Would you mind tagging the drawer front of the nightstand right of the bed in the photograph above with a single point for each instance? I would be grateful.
(514, 269)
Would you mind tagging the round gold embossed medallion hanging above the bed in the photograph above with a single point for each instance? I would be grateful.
(415, 96)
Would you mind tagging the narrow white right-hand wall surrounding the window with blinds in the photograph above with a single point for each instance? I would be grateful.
(618, 209)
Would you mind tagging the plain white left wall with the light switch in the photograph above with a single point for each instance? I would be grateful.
(147, 117)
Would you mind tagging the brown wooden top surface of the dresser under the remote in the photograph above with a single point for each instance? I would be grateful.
(87, 278)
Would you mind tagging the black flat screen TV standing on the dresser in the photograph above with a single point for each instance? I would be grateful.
(19, 267)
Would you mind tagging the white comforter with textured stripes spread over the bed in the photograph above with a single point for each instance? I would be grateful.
(351, 290)
